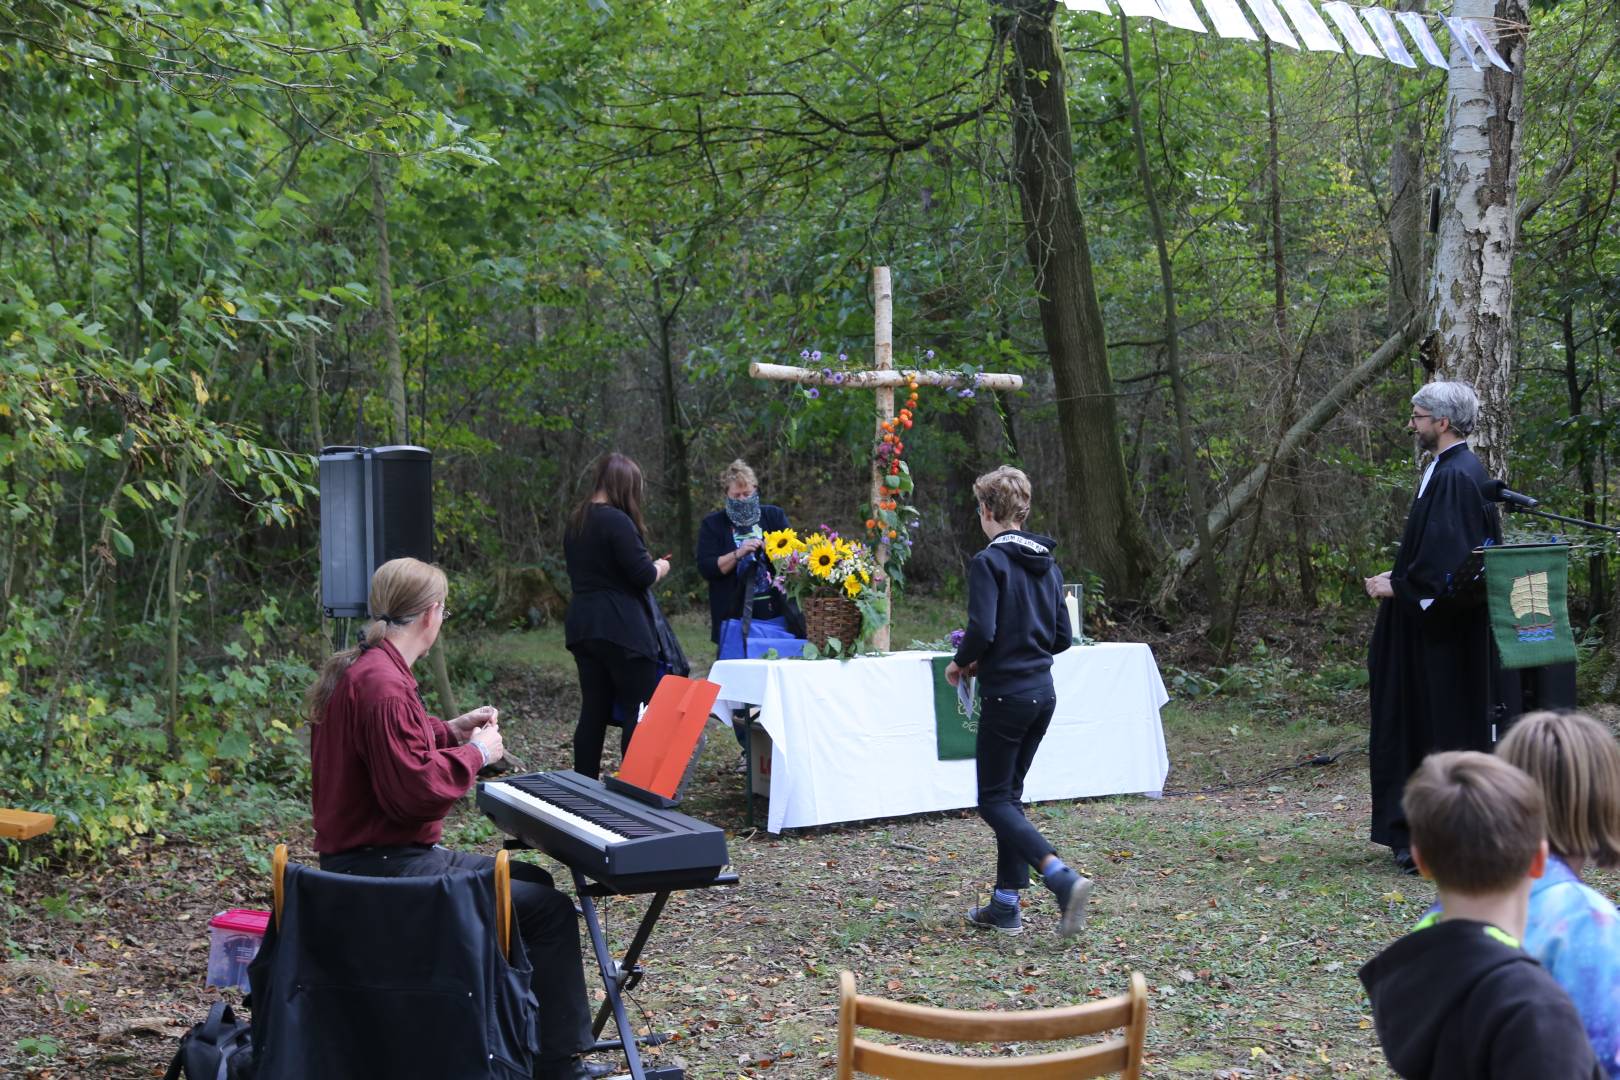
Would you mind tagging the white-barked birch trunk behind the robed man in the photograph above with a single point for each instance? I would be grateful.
(1472, 291)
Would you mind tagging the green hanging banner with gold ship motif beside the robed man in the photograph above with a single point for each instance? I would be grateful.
(1530, 608)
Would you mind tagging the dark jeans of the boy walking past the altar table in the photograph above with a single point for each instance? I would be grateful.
(1010, 731)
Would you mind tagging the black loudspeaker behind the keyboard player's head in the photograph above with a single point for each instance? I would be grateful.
(377, 504)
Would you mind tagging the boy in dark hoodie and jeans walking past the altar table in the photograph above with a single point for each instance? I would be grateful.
(1015, 623)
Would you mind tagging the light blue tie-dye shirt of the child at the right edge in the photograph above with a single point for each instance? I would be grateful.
(1575, 933)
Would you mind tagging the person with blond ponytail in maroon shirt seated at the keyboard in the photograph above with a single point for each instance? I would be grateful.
(385, 775)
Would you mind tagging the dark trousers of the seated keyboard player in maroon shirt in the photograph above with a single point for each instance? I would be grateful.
(545, 921)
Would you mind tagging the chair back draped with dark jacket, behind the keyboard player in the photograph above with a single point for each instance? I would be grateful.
(352, 966)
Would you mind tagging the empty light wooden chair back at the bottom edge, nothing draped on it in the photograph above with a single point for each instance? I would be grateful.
(1122, 1055)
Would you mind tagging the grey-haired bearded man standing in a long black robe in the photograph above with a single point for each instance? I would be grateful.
(1431, 665)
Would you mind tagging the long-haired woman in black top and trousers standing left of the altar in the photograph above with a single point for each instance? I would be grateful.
(610, 626)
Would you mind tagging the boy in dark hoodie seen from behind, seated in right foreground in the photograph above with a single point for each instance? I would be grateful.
(1459, 997)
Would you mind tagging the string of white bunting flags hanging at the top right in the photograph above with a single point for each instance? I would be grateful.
(1368, 32)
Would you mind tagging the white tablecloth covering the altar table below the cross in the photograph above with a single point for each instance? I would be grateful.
(856, 739)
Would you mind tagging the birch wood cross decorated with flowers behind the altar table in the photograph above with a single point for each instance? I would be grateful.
(884, 381)
